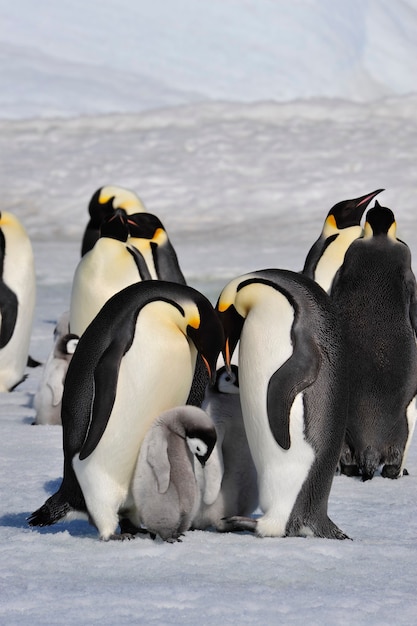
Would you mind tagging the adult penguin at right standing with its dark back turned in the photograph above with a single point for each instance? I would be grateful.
(375, 295)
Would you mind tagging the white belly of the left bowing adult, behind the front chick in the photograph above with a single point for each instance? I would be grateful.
(150, 381)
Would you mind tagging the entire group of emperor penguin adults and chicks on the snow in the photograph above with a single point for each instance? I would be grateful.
(161, 438)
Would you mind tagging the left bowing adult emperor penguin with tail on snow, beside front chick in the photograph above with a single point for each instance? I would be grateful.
(135, 360)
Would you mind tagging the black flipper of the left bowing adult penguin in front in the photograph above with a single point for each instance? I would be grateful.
(105, 384)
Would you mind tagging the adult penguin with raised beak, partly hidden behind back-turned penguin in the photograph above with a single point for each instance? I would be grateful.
(342, 226)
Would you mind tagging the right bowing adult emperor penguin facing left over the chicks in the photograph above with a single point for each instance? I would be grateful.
(293, 395)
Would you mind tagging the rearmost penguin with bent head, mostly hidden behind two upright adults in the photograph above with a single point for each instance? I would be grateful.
(102, 205)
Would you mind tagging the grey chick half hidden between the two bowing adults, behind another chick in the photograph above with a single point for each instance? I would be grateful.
(228, 481)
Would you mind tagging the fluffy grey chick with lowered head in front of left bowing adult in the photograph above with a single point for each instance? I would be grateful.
(164, 486)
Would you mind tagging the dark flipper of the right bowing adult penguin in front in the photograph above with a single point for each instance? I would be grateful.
(296, 374)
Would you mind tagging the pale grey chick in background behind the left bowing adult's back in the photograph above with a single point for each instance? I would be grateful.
(48, 397)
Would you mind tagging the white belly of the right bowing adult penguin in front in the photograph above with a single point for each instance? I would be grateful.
(265, 345)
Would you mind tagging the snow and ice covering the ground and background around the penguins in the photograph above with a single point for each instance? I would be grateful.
(239, 124)
